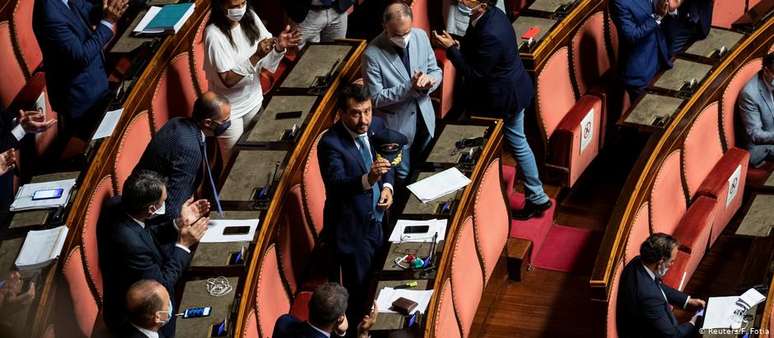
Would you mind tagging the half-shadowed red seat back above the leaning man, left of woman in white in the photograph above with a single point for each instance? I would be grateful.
(174, 94)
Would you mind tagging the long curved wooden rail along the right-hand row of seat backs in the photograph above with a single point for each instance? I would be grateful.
(660, 144)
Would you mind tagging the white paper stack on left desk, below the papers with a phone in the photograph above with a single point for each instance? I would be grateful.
(41, 247)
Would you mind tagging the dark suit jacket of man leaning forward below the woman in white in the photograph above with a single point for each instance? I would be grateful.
(176, 152)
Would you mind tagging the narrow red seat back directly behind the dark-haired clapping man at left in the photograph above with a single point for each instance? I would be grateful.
(102, 192)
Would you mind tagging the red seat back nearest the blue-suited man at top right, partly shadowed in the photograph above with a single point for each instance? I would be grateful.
(588, 52)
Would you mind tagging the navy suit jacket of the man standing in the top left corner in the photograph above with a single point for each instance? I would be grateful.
(72, 54)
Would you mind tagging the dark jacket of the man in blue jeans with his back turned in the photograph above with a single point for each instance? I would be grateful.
(495, 81)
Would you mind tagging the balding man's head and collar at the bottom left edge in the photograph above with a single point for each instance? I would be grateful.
(149, 308)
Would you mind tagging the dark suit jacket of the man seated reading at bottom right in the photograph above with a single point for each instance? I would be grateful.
(643, 310)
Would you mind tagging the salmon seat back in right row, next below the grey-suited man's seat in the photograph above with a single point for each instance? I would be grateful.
(701, 148)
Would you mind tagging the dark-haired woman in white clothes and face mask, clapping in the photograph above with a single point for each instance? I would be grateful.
(238, 46)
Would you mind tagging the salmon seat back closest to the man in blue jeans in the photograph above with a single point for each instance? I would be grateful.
(555, 96)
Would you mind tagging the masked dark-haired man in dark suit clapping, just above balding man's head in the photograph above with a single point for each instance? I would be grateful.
(131, 249)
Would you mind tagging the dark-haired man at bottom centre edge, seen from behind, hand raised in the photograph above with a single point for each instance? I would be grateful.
(326, 317)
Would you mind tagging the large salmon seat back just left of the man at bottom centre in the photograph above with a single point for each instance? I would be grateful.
(271, 299)
